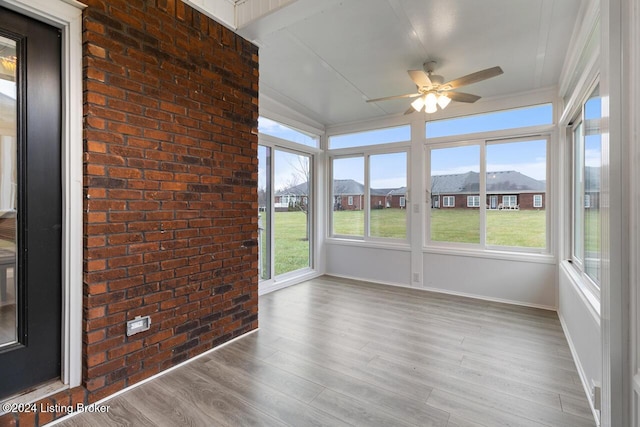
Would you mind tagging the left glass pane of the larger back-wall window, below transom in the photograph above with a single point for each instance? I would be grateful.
(455, 175)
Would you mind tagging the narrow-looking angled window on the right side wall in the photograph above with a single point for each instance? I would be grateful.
(586, 215)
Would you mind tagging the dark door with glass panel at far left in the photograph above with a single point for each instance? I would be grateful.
(31, 202)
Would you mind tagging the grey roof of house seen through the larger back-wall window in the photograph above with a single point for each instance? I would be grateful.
(497, 182)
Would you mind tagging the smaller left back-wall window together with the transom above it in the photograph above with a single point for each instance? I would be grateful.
(369, 180)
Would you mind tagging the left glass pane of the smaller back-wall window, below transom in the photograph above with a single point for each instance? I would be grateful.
(348, 196)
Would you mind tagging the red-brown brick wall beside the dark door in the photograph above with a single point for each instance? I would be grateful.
(170, 179)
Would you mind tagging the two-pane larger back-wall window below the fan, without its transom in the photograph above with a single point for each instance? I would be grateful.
(500, 201)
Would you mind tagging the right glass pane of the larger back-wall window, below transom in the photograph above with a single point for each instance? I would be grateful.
(516, 175)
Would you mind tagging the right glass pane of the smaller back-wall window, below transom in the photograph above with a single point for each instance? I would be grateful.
(388, 183)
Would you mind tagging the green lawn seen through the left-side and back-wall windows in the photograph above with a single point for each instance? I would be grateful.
(524, 228)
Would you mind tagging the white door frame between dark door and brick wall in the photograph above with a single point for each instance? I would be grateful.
(67, 16)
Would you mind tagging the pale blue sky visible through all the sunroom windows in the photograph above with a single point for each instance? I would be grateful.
(528, 157)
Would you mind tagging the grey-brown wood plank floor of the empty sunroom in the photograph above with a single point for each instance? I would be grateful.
(334, 352)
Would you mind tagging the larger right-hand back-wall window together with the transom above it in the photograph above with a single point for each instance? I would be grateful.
(504, 181)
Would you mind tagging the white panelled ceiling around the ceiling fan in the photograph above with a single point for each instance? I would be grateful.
(324, 58)
